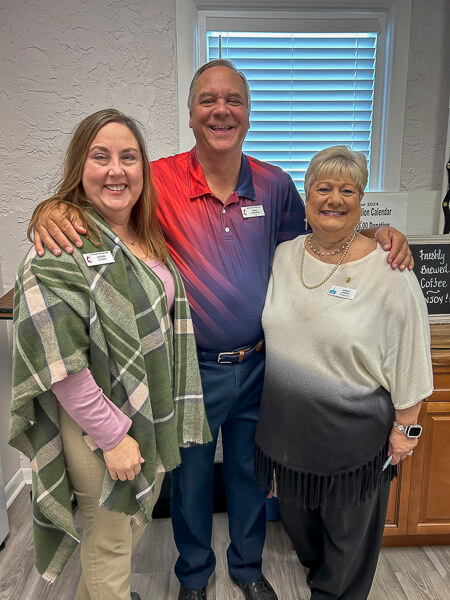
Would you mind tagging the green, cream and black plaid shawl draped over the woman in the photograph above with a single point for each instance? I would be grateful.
(112, 318)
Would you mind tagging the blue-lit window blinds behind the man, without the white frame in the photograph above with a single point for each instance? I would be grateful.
(309, 91)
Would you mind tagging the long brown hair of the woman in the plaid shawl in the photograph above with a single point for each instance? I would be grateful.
(70, 191)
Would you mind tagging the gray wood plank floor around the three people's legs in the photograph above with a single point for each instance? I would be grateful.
(416, 573)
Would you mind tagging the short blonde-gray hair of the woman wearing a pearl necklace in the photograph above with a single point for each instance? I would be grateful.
(338, 161)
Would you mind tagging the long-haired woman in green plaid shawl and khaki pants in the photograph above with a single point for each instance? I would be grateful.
(106, 386)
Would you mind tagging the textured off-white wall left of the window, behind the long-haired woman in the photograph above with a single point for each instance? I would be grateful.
(62, 60)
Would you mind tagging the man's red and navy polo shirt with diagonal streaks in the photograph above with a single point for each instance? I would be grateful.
(224, 258)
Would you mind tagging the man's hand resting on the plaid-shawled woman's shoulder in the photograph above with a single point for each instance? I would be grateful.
(55, 230)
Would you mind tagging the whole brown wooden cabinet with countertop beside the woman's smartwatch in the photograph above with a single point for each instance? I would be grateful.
(419, 505)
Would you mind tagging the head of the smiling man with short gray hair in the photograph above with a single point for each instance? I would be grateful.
(219, 115)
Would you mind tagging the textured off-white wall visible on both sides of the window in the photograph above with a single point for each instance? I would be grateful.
(63, 59)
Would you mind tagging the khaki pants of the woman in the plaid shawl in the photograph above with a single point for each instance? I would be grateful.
(109, 538)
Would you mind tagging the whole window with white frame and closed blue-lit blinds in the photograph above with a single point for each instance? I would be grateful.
(293, 119)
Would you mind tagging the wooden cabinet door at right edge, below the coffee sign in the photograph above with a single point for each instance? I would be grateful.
(429, 502)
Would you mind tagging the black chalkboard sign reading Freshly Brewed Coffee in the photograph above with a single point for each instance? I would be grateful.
(432, 269)
